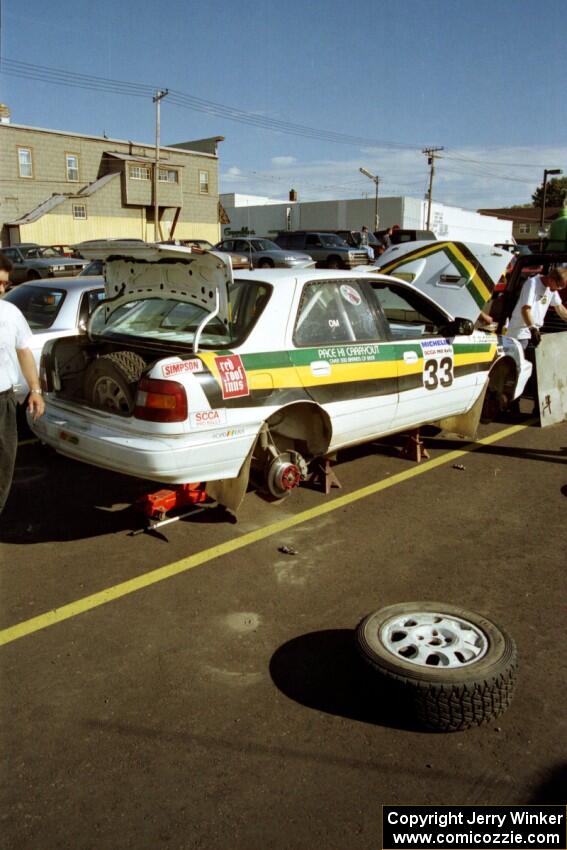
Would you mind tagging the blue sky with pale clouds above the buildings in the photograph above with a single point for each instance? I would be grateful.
(320, 88)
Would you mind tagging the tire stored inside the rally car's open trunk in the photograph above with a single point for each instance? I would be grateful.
(111, 381)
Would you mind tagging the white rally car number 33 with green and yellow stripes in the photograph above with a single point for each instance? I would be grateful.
(188, 375)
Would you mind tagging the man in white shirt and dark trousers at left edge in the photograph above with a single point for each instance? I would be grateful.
(15, 335)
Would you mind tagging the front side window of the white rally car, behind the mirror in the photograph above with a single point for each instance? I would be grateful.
(407, 314)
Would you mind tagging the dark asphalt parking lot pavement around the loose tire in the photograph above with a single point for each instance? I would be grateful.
(198, 688)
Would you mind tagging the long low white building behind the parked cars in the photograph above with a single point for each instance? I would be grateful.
(265, 217)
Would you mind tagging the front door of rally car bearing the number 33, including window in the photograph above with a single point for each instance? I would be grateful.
(438, 374)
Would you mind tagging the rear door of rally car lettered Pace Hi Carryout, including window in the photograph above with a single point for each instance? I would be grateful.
(344, 359)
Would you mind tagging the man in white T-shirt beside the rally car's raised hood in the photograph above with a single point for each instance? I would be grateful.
(538, 294)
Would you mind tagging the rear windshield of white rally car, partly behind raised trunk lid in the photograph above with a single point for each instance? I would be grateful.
(169, 320)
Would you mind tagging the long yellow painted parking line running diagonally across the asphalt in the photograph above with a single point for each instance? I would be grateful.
(87, 603)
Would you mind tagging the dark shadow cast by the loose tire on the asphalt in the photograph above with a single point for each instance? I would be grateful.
(323, 671)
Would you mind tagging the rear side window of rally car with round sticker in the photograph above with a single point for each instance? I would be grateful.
(332, 312)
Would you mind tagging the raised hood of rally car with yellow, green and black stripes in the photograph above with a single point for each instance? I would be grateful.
(458, 276)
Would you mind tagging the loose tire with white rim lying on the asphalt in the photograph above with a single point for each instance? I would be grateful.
(450, 668)
